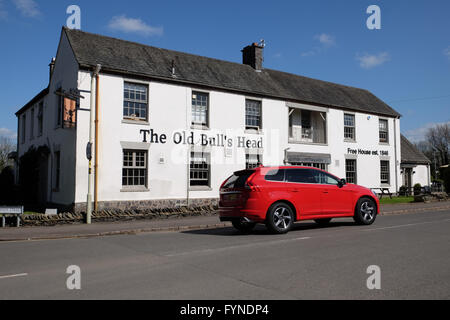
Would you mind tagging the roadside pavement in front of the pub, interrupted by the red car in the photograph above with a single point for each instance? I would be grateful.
(167, 225)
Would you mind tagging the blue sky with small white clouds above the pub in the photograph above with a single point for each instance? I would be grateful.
(406, 63)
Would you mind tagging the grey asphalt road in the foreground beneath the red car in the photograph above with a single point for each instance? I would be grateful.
(412, 251)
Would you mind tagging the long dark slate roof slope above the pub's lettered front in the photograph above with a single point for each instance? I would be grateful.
(132, 58)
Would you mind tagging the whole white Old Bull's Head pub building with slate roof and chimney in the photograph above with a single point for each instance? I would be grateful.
(170, 127)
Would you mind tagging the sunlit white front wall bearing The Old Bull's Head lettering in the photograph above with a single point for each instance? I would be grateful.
(170, 111)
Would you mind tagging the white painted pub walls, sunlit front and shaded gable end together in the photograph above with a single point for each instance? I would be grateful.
(170, 111)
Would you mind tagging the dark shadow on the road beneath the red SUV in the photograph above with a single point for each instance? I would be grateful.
(262, 230)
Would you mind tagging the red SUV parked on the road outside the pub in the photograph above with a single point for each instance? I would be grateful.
(279, 196)
